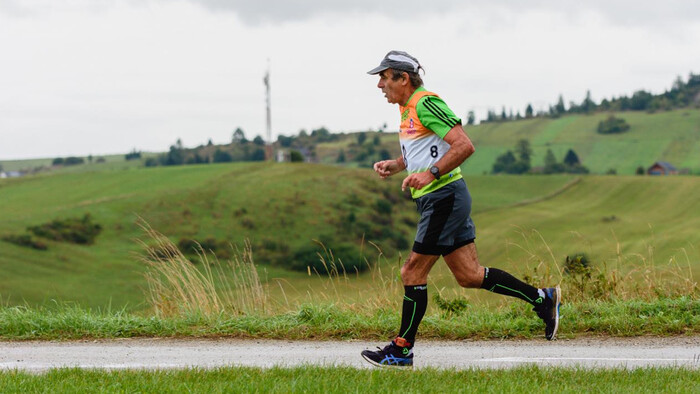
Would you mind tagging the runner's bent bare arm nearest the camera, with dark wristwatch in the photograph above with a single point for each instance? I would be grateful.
(461, 148)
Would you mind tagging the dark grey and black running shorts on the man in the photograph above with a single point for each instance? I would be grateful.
(445, 224)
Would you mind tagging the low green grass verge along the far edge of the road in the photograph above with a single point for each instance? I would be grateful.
(664, 316)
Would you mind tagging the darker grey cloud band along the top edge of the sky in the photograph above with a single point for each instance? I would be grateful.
(637, 13)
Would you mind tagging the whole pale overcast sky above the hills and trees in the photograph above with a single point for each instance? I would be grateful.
(99, 76)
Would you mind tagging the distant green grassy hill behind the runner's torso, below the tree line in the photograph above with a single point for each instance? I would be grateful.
(672, 136)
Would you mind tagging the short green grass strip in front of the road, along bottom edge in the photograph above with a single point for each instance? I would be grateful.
(342, 379)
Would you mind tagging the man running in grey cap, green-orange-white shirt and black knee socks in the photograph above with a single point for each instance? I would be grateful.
(433, 146)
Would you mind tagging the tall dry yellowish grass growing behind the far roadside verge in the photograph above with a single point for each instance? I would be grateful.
(176, 286)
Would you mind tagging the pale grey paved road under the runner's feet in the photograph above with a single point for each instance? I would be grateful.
(38, 356)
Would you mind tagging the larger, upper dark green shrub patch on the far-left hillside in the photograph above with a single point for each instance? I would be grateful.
(74, 230)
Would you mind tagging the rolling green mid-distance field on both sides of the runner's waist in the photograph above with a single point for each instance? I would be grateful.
(521, 222)
